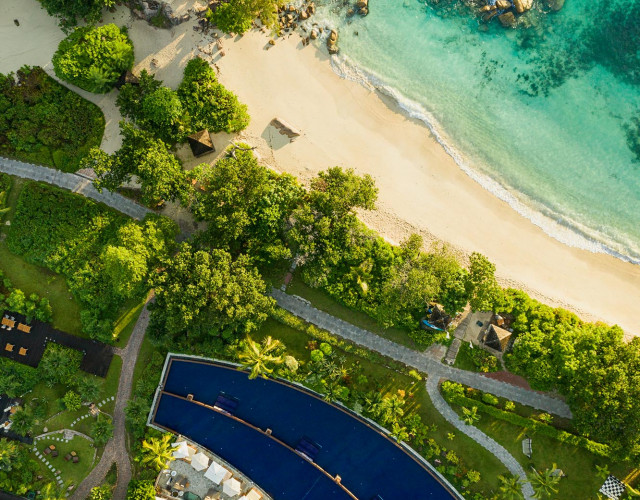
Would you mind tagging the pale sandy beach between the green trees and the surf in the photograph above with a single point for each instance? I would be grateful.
(421, 188)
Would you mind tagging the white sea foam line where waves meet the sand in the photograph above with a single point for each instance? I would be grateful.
(559, 227)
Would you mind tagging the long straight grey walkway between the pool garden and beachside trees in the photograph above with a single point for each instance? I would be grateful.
(424, 362)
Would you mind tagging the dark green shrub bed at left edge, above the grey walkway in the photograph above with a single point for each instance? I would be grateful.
(43, 122)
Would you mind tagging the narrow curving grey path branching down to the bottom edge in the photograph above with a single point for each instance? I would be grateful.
(478, 436)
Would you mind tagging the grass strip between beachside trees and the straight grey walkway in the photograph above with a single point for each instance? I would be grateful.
(322, 301)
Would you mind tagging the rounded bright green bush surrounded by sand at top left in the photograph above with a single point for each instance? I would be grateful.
(93, 58)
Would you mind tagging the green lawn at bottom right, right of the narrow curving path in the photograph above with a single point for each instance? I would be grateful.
(577, 463)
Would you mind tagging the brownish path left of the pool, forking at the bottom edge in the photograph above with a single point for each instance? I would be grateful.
(116, 449)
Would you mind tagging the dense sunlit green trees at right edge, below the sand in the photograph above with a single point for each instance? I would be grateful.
(589, 363)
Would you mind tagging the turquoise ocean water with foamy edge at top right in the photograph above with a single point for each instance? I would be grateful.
(546, 115)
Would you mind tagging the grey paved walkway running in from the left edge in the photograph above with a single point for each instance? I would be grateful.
(75, 183)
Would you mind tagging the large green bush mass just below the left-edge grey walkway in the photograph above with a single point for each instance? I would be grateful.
(105, 256)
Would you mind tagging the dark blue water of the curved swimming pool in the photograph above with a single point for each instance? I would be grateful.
(369, 463)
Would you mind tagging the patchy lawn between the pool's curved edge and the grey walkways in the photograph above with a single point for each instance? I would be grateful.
(389, 381)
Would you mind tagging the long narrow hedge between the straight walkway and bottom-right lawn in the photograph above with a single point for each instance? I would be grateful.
(532, 425)
